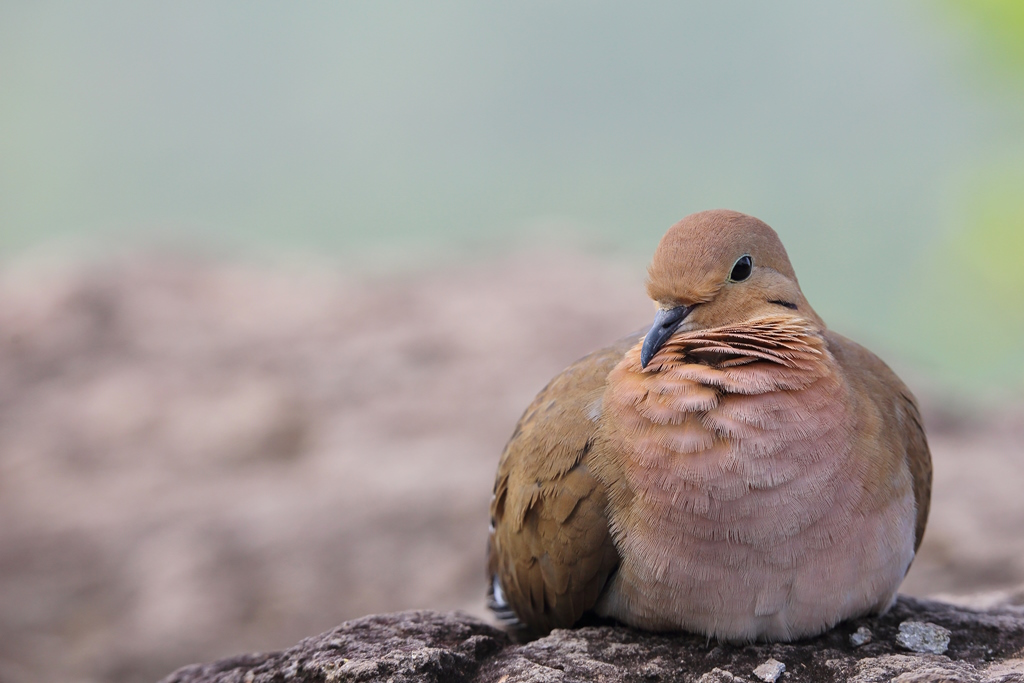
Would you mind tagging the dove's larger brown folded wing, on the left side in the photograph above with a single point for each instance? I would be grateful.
(550, 551)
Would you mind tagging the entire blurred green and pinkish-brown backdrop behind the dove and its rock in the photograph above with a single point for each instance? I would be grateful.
(277, 281)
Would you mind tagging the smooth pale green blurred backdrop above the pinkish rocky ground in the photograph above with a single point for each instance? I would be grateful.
(884, 141)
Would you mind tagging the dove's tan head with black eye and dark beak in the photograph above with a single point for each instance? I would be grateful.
(719, 268)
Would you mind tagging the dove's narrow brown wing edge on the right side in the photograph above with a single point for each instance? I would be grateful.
(889, 414)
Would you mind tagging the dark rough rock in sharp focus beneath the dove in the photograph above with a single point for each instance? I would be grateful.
(979, 647)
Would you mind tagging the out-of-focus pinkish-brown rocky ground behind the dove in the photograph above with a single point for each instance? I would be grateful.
(203, 458)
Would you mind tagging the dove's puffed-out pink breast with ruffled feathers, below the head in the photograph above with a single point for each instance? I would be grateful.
(738, 489)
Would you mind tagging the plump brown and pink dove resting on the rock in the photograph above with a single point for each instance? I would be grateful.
(739, 471)
